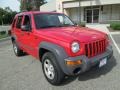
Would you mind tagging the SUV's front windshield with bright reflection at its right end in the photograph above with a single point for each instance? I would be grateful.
(52, 20)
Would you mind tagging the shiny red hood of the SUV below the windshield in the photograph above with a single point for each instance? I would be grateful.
(81, 34)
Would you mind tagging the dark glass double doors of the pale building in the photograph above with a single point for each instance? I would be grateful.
(92, 15)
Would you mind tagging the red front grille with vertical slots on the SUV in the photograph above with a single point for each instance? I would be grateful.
(95, 48)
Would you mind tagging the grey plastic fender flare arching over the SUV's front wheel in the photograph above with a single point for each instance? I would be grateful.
(59, 53)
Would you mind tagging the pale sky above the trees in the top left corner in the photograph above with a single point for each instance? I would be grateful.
(13, 4)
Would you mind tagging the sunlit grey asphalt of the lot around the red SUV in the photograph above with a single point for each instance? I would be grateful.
(25, 73)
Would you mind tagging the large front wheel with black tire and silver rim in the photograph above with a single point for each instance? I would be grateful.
(51, 69)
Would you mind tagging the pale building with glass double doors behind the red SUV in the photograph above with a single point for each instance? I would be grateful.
(89, 11)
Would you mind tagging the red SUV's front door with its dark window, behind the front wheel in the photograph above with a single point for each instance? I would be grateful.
(28, 38)
